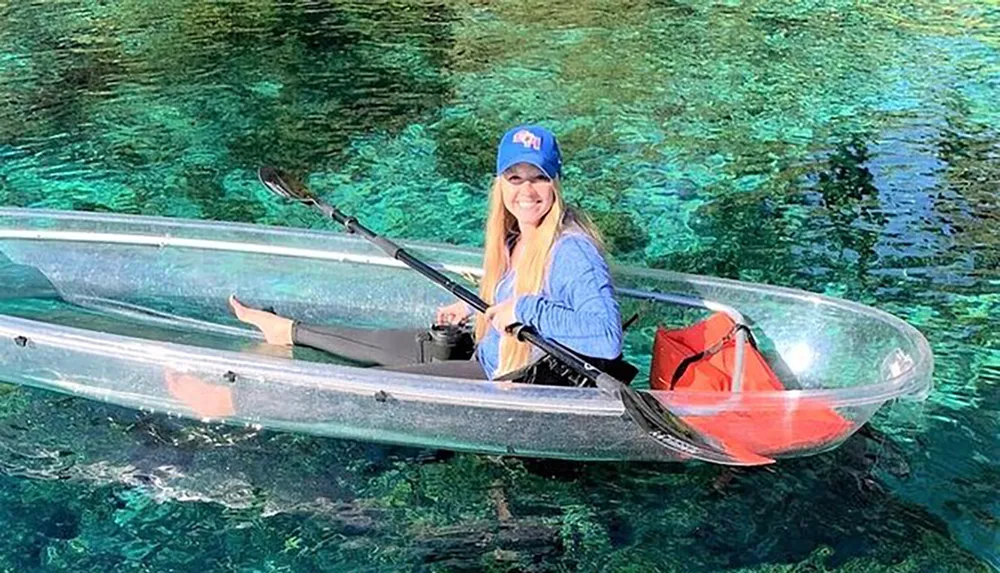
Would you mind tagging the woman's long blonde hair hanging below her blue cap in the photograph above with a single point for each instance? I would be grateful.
(531, 270)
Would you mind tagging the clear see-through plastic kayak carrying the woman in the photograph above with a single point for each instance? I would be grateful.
(117, 308)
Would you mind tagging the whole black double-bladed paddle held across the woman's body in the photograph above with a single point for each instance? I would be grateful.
(660, 424)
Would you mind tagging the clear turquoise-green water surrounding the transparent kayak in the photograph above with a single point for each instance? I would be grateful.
(829, 145)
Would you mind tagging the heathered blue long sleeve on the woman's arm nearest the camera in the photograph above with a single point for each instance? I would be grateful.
(579, 308)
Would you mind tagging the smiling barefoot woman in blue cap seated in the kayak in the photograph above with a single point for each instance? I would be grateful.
(543, 268)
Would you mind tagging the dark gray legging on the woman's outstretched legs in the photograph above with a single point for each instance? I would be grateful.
(395, 350)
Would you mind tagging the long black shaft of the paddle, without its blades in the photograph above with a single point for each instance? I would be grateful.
(600, 378)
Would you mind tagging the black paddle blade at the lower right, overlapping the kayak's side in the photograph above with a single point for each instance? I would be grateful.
(667, 429)
